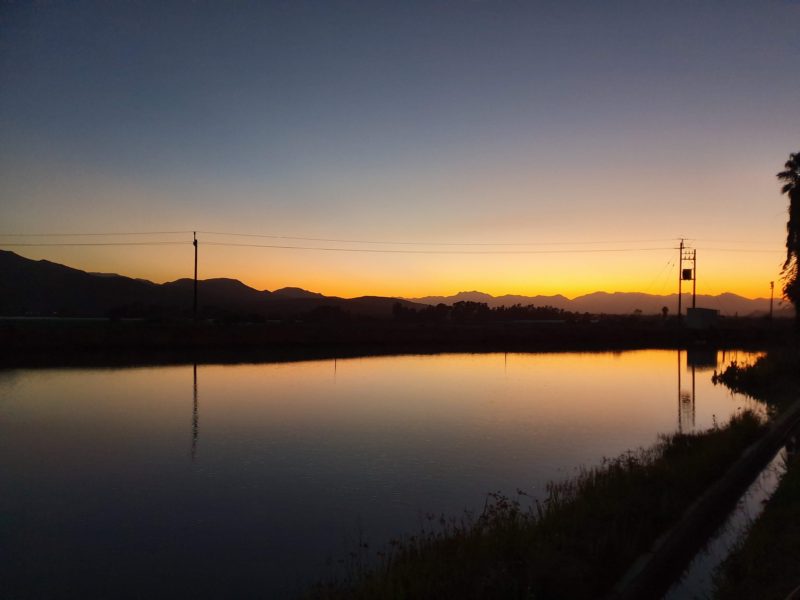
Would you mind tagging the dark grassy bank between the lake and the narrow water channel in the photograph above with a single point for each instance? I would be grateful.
(574, 544)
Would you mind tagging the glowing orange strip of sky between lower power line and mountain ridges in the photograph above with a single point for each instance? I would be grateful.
(408, 277)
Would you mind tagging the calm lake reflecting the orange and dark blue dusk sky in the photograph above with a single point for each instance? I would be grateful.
(248, 480)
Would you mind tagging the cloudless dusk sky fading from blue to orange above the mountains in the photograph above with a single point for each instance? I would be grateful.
(430, 147)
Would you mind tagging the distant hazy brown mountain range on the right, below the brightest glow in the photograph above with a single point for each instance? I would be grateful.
(621, 302)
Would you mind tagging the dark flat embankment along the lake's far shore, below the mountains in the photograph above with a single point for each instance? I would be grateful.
(98, 342)
